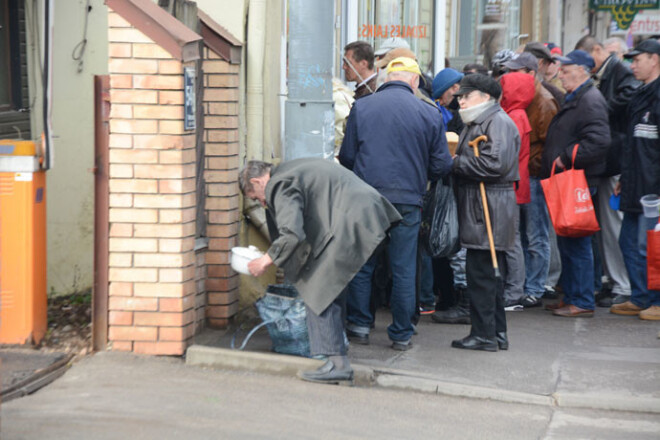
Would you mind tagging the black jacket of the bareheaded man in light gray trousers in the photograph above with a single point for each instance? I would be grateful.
(617, 84)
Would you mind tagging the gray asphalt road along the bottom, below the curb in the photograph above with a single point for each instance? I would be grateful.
(122, 396)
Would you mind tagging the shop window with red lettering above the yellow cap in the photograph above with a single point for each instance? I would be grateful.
(411, 20)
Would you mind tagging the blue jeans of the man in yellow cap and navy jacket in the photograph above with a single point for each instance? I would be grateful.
(403, 263)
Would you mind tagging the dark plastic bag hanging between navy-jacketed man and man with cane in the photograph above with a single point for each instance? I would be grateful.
(439, 228)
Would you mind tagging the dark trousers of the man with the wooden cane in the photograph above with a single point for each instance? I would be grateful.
(486, 293)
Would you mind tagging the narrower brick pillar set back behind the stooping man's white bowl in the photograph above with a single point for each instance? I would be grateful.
(222, 201)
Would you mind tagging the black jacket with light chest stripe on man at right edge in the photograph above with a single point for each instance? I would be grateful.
(640, 160)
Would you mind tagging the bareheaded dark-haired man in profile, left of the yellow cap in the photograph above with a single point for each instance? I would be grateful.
(359, 67)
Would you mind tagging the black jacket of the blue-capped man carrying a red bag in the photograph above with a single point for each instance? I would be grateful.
(581, 120)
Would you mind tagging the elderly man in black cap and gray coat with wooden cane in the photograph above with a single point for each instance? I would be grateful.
(497, 168)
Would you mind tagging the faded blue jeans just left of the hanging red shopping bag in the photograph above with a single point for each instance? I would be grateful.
(535, 239)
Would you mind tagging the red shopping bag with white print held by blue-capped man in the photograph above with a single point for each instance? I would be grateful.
(569, 202)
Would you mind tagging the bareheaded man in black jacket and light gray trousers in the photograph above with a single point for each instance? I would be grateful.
(617, 84)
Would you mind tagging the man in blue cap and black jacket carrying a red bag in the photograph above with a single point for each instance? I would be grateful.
(582, 120)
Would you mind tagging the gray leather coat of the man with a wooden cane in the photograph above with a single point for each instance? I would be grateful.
(497, 167)
